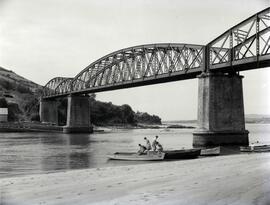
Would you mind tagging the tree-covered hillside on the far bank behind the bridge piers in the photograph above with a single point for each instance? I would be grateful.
(21, 96)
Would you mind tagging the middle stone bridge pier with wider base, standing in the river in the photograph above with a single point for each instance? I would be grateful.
(78, 115)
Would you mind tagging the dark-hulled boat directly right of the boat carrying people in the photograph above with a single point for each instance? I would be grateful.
(182, 154)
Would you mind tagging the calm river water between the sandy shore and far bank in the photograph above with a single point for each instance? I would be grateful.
(33, 153)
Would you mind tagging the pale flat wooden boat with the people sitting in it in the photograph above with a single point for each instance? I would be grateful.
(133, 156)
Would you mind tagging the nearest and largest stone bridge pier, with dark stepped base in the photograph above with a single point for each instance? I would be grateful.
(221, 119)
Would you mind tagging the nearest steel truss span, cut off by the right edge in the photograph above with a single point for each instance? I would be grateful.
(244, 46)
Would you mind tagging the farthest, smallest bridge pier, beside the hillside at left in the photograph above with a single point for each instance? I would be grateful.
(48, 111)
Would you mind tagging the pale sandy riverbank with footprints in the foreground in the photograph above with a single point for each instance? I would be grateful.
(237, 179)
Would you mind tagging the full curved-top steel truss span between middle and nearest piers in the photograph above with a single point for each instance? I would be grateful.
(140, 65)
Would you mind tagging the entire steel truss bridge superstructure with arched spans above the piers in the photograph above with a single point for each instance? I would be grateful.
(244, 46)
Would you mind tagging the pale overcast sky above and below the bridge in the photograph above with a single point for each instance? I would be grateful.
(43, 39)
